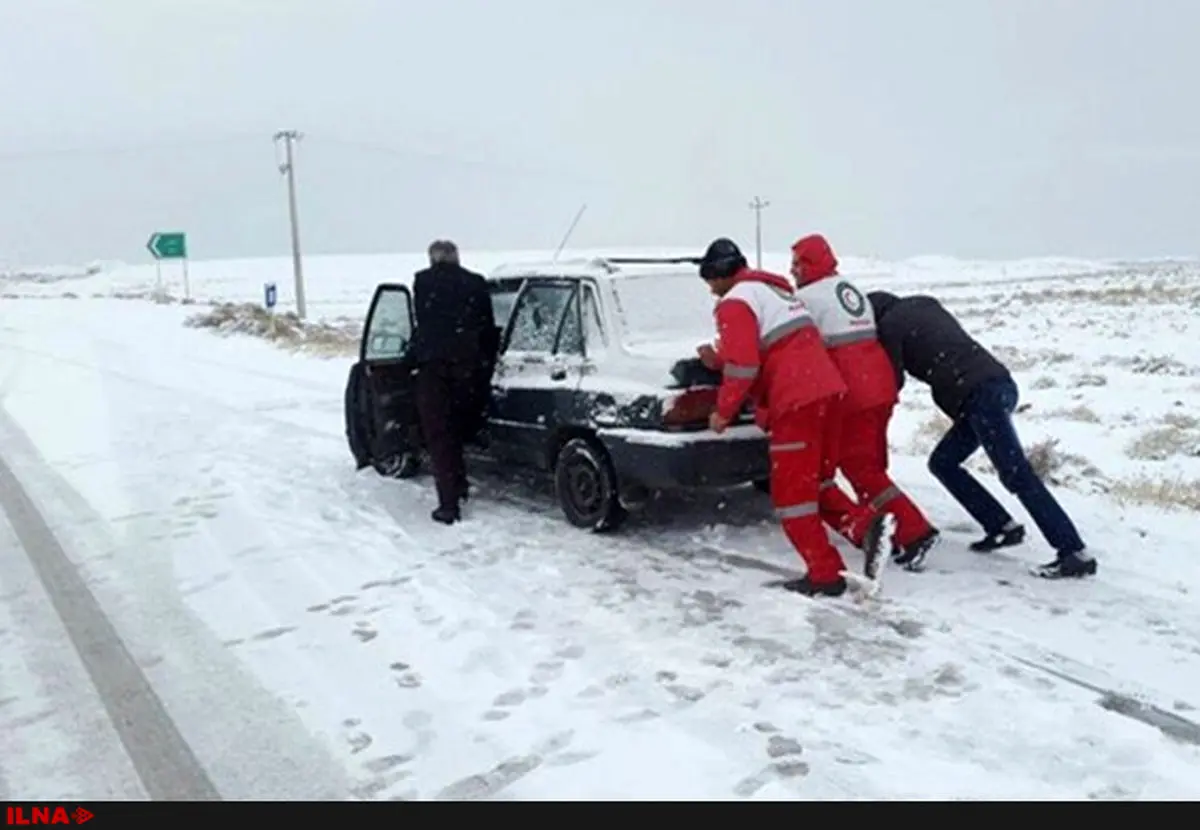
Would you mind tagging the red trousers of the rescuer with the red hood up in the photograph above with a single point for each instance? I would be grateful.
(863, 459)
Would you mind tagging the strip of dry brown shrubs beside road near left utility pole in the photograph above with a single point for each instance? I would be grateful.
(284, 329)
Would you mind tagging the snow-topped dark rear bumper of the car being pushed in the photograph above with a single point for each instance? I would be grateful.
(688, 460)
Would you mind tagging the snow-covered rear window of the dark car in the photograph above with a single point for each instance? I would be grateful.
(667, 308)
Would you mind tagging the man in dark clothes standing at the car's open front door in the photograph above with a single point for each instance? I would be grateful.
(455, 347)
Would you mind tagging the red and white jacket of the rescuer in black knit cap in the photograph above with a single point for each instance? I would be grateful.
(771, 351)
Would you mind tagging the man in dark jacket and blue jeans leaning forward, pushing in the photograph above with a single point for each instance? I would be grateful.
(980, 395)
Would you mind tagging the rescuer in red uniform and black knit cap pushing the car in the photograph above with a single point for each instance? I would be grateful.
(771, 353)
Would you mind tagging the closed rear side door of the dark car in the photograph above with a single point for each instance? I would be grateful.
(529, 395)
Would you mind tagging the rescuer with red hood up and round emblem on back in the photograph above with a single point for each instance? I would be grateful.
(848, 327)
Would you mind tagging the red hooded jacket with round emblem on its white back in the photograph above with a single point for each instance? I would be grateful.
(848, 327)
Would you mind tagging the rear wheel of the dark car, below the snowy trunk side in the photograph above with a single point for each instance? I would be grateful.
(586, 486)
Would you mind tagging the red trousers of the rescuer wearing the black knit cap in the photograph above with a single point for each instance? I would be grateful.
(799, 466)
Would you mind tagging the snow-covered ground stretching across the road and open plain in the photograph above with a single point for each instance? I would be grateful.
(311, 634)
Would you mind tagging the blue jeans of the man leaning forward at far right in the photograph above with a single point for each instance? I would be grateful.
(987, 422)
